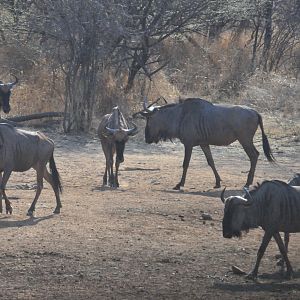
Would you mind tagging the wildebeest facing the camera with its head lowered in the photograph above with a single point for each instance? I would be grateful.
(114, 132)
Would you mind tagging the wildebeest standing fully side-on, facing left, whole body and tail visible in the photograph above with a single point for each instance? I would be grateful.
(197, 122)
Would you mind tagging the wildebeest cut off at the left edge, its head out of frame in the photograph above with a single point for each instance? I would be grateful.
(21, 150)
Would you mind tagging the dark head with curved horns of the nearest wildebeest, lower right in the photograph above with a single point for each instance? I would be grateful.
(235, 213)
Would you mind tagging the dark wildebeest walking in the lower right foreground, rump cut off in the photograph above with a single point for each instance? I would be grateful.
(274, 205)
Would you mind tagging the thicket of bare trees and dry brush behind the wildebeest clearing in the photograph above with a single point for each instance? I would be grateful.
(84, 57)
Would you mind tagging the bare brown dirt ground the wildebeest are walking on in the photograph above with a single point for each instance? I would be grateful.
(142, 240)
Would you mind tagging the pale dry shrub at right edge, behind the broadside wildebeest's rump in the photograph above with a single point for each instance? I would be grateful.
(277, 96)
